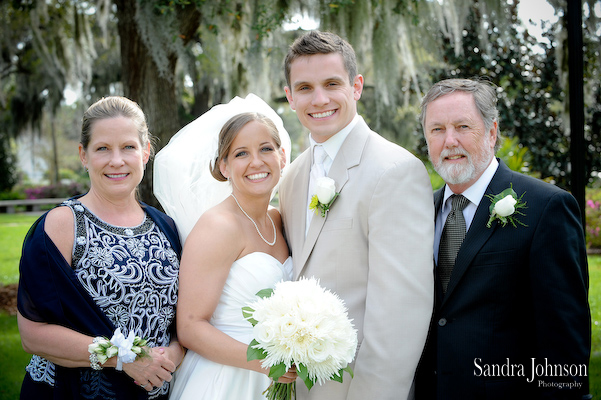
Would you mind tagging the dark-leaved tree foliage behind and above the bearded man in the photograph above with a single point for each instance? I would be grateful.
(531, 91)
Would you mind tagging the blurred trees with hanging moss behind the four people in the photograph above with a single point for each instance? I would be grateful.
(177, 58)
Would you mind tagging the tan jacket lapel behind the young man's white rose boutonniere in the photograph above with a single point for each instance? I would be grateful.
(348, 157)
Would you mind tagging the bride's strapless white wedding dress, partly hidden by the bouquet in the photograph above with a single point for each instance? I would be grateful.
(201, 379)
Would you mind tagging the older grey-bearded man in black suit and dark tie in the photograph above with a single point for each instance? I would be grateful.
(511, 303)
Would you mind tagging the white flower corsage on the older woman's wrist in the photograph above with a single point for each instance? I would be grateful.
(127, 349)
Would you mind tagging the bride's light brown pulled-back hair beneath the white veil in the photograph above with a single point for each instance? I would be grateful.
(228, 134)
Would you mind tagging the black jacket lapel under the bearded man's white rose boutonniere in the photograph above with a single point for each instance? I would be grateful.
(478, 234)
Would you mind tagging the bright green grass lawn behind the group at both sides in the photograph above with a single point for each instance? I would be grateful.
(13, 229)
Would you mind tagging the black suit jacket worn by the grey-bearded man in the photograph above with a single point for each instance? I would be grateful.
(517, 296)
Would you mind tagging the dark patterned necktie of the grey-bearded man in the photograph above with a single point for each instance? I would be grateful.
(450, 241)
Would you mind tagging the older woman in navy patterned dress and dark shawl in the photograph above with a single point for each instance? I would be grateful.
(99, 264)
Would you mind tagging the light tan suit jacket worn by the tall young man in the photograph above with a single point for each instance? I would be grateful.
(374, 249)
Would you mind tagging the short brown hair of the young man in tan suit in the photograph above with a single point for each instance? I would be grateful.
(317, 42)
